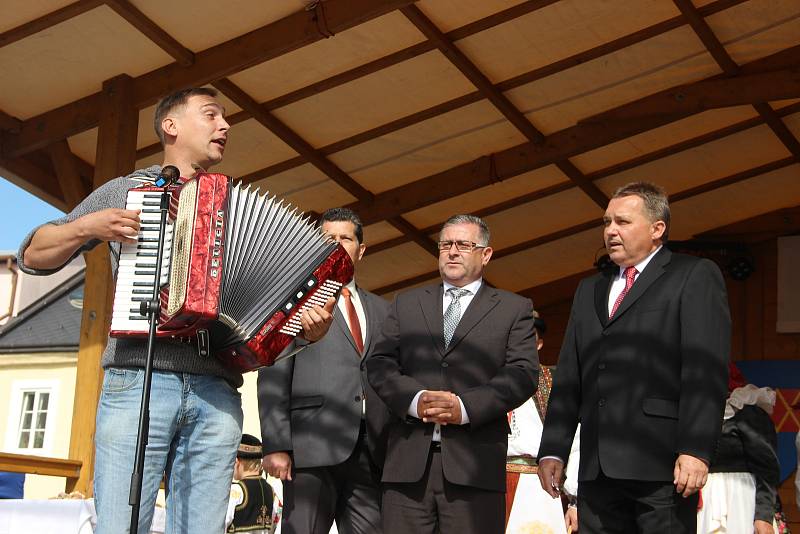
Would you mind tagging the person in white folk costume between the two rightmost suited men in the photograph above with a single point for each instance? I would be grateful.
(528, 507)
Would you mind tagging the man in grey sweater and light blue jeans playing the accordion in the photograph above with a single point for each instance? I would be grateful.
(195, 409)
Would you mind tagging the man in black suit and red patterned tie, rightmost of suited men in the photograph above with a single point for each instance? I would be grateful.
(643, 367)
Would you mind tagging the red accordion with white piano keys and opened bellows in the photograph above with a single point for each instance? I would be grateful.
(239, 267)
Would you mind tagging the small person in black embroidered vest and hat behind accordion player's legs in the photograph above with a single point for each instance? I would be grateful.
(253, 506)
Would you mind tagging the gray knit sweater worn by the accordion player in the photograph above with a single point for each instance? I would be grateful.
(128, 352)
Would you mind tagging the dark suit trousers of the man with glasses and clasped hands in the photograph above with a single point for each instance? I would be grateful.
(434, 505)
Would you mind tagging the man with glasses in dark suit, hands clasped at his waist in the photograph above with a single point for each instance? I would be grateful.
(452, 360)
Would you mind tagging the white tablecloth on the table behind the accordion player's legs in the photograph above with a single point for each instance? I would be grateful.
(56, 516)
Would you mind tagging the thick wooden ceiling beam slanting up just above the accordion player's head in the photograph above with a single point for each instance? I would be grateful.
(277, 38)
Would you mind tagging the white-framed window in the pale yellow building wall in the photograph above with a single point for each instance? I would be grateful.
(32, 417)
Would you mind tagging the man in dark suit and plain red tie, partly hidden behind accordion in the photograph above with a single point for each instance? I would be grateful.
(322, 426)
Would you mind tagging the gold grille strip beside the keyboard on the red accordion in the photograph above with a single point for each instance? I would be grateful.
(182, 247)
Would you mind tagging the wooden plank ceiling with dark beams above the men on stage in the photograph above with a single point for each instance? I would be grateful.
(528, 113)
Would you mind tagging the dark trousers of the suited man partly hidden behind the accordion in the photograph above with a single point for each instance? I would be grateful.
(348, 493)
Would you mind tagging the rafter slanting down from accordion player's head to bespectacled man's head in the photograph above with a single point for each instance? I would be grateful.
(313, 156)
